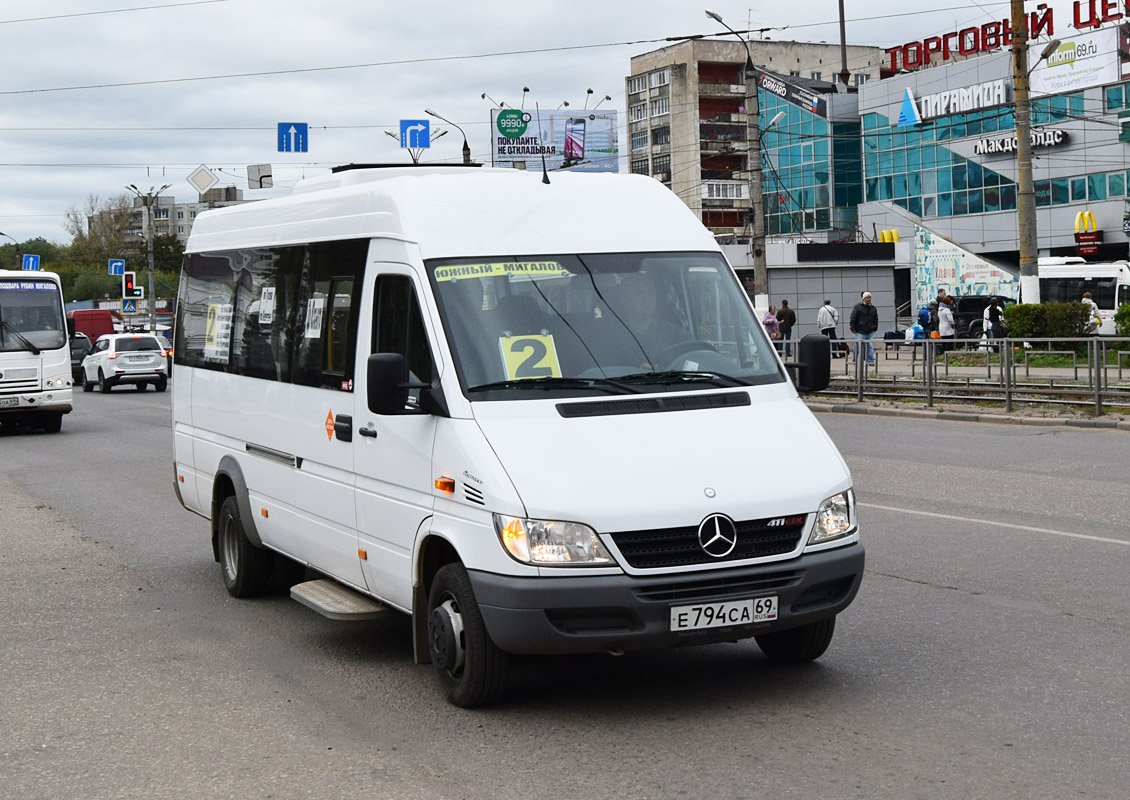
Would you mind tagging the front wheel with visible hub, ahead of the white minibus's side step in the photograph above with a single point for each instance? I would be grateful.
(472, 669)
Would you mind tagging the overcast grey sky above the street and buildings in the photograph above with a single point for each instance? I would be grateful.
(98, 94)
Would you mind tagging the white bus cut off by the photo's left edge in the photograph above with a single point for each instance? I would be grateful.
(36, 371)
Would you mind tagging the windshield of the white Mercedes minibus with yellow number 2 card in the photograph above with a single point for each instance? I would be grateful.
(599, 324)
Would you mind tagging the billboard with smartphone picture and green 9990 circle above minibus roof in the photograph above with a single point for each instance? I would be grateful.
(573, 141)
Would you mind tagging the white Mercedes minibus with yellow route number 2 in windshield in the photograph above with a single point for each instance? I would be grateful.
(538, 416)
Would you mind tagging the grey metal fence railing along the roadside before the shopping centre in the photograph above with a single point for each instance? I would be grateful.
(1092, 372)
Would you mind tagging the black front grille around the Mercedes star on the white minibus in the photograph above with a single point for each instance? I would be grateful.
(671, 547)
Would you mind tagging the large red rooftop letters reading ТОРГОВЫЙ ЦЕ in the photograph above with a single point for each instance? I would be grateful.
(993, 37)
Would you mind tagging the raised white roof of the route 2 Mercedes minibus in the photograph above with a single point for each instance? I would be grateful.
(454, 213)
